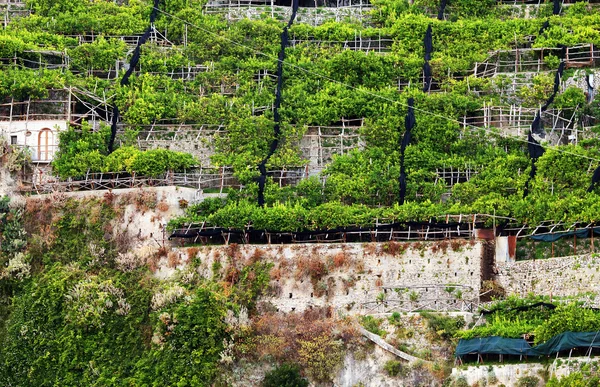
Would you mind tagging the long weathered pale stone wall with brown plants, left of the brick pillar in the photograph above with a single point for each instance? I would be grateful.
(354, 277)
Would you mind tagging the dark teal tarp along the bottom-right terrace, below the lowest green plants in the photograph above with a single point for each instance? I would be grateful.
(495, 345)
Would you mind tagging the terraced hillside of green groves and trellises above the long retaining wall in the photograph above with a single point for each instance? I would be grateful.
(205, 84)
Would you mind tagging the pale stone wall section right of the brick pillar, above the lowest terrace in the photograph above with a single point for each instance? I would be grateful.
(564, 276)
